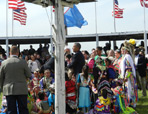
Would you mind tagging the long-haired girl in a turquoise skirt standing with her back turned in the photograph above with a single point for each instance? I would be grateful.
(83, 83)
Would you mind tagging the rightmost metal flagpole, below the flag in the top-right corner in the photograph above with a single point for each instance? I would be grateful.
(145, 33)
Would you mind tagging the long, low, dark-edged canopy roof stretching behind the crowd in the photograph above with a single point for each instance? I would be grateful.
(74, 38)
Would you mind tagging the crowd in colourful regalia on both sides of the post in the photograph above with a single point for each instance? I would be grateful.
(95, 83)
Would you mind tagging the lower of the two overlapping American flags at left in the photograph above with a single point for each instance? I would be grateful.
(20, 16)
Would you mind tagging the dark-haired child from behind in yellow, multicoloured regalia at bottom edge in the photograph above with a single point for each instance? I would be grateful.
(103, 102)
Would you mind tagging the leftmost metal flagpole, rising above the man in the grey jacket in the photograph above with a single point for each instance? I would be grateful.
(7, 42)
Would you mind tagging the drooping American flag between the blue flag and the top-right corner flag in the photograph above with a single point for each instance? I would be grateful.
(117, 13)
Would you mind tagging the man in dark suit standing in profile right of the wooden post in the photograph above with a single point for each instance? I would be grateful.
(78, 60)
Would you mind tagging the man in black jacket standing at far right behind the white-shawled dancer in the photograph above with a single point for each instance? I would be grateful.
(140, 63)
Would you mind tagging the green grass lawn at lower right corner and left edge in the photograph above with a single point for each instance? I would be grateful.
(141, 108)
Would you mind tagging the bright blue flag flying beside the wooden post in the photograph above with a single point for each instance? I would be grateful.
(73, 18)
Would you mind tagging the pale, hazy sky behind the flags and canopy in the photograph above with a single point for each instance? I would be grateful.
(38, 23)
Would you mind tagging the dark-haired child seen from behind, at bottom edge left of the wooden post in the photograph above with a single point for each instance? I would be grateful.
(42, 104)
